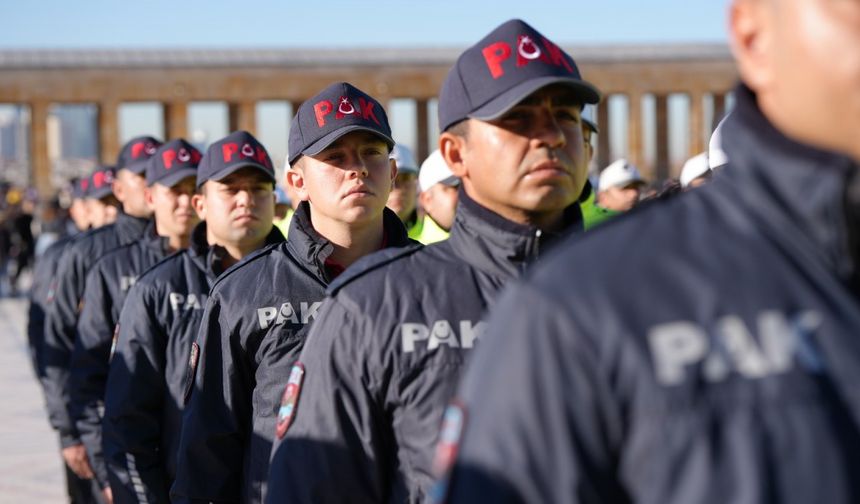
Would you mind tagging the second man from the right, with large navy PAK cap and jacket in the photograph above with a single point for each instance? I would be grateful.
(381, 363)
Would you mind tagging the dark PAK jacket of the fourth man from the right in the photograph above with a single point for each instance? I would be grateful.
(149, 369)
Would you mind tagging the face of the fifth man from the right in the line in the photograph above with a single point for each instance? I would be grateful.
(174, 215)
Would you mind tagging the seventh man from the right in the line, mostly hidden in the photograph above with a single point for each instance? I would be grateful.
(42, 293)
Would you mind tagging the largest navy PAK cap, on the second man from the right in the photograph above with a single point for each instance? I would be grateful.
(505, 67)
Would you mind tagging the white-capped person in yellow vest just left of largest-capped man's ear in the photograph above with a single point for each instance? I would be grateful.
(438, 199)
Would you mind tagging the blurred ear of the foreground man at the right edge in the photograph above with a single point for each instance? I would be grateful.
(752, 34)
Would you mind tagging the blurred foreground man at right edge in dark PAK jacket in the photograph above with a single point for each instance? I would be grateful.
(720, 361)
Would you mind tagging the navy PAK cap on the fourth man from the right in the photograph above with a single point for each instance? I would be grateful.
(235, 151)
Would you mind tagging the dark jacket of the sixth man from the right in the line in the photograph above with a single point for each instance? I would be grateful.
(63, 311)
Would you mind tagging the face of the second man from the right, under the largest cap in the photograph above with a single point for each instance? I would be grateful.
(529, 164)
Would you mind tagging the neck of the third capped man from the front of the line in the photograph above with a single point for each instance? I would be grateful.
(351, 241)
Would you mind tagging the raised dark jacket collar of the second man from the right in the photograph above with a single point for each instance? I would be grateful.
(498, 246)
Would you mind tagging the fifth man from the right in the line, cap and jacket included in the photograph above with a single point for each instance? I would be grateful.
(170, 175)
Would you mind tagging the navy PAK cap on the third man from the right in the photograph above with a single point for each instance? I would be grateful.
(335, 111)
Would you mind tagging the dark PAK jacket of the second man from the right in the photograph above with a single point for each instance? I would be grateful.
(385, 357)
